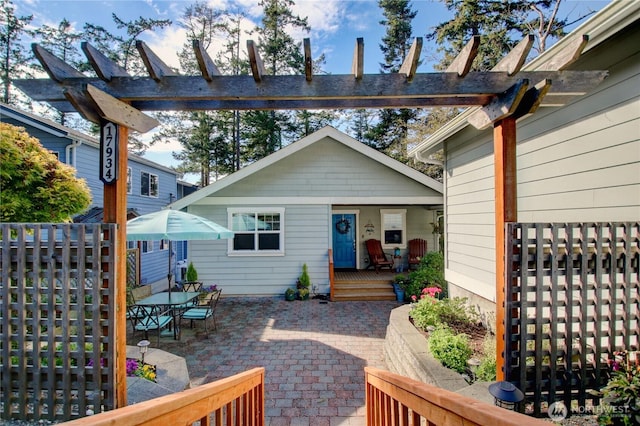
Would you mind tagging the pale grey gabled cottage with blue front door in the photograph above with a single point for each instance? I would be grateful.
(324, 192)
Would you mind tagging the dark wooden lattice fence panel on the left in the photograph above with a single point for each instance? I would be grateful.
(56, 320)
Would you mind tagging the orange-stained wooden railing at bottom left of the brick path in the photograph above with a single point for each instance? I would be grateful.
(236, 400)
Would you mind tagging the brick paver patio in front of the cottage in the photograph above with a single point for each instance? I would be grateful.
(313, 353)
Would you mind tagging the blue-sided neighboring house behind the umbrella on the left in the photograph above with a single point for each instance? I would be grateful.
(150, 186)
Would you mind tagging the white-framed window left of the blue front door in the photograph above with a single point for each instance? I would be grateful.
(257, 231)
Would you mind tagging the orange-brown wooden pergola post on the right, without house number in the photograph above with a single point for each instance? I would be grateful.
(504, 146)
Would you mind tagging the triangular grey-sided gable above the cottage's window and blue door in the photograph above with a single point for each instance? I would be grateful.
(326, 169)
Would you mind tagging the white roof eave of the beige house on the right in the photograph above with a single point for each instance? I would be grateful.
(602, 26)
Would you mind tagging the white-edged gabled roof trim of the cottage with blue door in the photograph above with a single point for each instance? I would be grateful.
(326, 132)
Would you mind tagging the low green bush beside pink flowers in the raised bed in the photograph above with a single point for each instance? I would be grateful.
(429, 311)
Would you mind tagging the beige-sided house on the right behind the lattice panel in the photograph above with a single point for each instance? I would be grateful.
(575, 163)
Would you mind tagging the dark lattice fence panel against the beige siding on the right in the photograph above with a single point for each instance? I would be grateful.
(572, 301)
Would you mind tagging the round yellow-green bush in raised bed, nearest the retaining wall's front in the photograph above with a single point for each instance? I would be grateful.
(452, 350)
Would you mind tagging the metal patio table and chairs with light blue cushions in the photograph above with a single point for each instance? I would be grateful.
(166, 310)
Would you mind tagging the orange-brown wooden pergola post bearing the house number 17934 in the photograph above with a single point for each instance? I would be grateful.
(115, 211)
